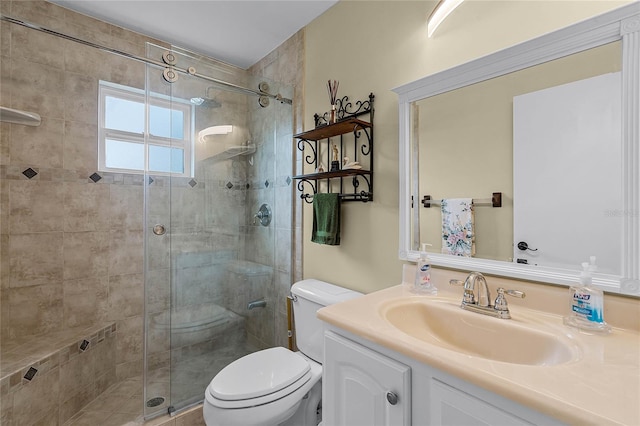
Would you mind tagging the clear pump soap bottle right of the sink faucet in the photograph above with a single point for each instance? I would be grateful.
(587, 303)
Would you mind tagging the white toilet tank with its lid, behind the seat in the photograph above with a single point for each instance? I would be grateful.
(309, 296)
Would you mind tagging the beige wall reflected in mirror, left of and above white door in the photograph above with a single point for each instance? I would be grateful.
(464, 140)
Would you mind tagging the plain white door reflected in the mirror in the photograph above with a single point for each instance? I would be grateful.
(558, 197)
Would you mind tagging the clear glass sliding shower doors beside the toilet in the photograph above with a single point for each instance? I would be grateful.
(210, 226)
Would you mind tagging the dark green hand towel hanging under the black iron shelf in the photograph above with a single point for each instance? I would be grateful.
(326, 219)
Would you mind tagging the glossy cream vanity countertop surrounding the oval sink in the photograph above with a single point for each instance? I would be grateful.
(602, 386)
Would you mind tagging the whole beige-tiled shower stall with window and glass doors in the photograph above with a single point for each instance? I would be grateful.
(147, 219)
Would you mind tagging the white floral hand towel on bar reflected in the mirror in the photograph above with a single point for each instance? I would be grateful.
(457, 227)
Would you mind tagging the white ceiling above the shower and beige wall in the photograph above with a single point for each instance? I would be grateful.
(239, 32)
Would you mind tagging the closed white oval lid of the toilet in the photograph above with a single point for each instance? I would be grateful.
(258, 374)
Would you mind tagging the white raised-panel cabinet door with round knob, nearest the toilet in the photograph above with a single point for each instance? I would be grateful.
(363, 387)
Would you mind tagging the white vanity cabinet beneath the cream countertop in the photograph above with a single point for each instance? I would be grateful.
(358, 374)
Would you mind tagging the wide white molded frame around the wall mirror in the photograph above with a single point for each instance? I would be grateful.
(622, 24)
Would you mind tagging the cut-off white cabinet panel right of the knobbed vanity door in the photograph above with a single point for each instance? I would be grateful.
(451, 406)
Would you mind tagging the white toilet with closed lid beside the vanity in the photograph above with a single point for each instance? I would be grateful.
(276, 386)
